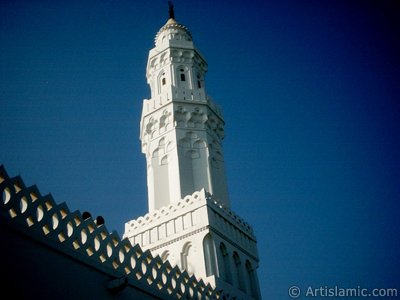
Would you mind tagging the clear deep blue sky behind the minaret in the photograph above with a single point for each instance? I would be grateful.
(309, 91)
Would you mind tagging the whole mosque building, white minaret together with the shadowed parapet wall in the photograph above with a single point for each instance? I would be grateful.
(190, 245)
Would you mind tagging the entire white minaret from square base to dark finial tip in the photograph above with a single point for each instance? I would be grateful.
(189, 223)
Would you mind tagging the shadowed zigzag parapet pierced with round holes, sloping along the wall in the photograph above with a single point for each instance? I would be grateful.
(82, 237)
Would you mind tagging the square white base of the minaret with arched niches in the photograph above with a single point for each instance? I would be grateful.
(190, 234)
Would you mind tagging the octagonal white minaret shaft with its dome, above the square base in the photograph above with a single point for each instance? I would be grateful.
(181, 128)
